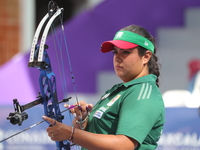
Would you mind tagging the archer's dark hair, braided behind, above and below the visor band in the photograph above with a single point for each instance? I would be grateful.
(153, 62)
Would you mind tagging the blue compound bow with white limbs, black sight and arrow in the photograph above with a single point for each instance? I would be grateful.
(48, 95)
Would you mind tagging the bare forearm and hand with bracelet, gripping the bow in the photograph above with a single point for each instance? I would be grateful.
(91, 141)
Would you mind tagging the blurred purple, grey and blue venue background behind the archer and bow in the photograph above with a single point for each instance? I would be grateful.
(88, 23)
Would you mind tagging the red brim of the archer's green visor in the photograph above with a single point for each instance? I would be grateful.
(108, 45)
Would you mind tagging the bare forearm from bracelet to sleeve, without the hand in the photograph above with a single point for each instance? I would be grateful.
(94, 141)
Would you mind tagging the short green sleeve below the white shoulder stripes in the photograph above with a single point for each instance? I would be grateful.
(137, 117)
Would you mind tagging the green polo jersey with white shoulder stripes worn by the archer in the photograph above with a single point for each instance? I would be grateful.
(134, 109)
